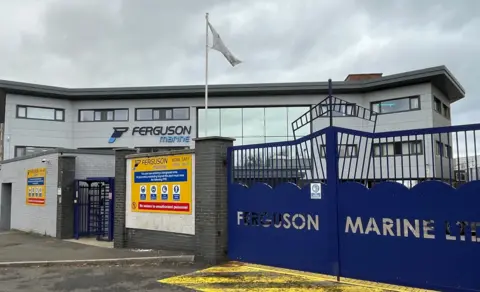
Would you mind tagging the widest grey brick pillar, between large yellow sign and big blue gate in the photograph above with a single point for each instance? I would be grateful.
(211, 199)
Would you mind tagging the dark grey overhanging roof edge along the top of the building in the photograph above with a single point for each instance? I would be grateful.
(439, 76)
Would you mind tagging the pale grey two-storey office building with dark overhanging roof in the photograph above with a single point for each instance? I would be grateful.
(37, 117)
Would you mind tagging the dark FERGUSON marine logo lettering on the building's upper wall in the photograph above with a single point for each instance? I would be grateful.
(167, 134)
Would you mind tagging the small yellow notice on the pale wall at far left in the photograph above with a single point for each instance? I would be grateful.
(36, 186)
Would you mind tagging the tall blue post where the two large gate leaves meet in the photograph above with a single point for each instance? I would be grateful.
(332, 196)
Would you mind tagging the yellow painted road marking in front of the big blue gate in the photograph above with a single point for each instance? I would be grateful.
(236, 276)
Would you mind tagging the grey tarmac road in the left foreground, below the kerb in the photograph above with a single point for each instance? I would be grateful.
(93, 278)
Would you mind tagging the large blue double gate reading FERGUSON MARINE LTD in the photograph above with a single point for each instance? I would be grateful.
(393, 207)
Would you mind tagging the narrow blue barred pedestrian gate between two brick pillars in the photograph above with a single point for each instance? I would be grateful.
(94, 208)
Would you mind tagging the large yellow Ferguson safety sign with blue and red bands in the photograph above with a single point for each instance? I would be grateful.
(162, 184)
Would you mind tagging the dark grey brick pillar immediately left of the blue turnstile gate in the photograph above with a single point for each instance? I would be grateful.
(66, 184)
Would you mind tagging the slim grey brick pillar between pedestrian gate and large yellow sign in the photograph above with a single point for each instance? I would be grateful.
(119, 231)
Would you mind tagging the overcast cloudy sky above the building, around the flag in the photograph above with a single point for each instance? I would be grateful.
(79, 43)
